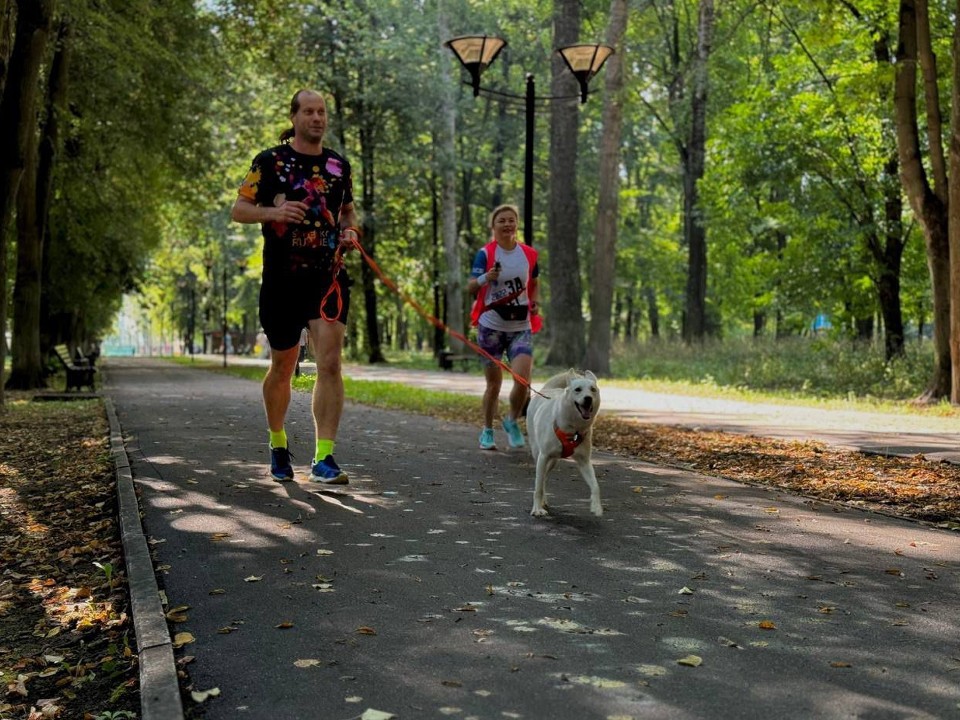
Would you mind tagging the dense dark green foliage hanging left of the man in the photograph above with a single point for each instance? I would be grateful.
(137, 87)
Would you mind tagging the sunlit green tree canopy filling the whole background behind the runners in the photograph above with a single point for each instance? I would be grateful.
(797, 198)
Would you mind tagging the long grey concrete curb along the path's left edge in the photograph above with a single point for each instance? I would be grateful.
(159, 686)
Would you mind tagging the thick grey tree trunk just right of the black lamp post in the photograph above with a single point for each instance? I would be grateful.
(565, 319)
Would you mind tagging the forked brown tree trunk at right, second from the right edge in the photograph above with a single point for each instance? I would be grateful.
(929, 203)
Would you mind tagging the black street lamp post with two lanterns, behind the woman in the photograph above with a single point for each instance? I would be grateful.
(476, 52)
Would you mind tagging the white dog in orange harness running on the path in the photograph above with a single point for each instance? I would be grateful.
(560, 425)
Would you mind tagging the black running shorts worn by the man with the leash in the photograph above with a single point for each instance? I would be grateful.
(288, 304)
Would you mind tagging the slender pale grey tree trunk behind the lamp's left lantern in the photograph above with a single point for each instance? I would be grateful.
(446, 133)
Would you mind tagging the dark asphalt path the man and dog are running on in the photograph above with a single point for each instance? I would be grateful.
(424, 589)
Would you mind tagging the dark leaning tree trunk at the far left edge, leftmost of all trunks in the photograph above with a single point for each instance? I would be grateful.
(17, 124)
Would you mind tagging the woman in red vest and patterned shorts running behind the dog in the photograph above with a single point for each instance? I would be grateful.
(504, 280)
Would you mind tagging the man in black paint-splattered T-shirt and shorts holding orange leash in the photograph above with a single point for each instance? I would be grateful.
(302, 195)
